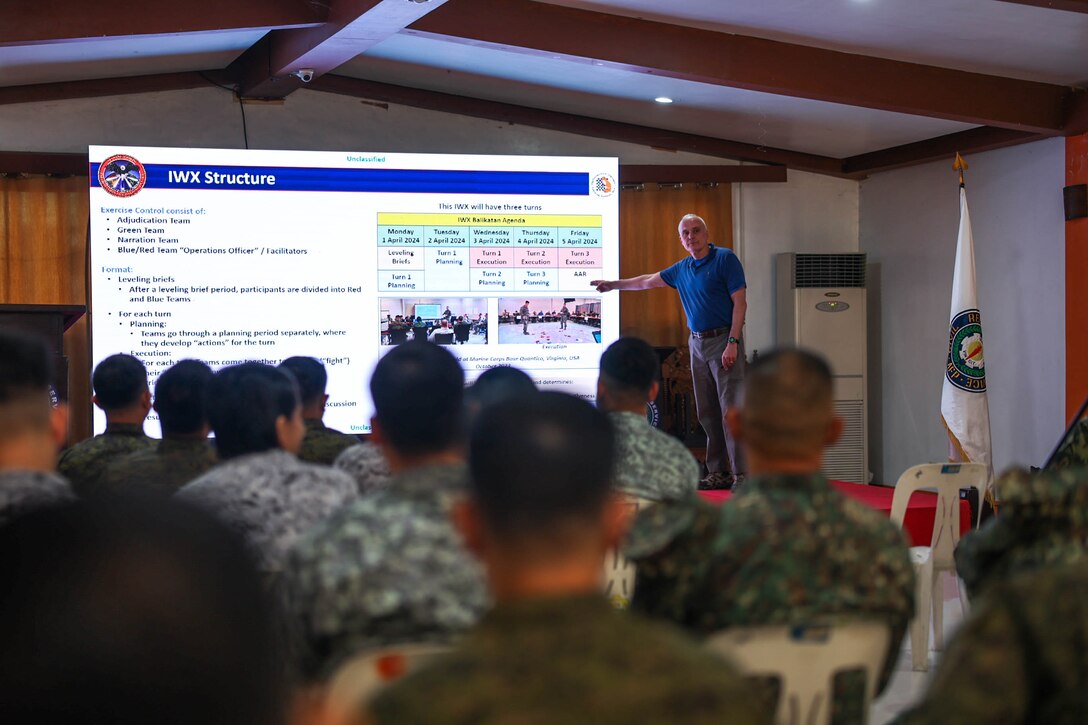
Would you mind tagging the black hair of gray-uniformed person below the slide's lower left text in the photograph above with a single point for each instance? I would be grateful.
(244, 402)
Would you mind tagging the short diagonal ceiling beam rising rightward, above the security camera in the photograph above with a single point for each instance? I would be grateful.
(268, 69)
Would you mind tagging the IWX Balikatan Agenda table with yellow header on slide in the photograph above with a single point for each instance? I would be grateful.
(488, 253)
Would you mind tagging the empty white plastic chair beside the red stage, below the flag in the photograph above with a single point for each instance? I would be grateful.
(933, 561)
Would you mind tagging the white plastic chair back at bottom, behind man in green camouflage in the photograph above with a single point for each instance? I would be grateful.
(806, 660)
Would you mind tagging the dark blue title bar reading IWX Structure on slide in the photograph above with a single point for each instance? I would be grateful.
(409, 181)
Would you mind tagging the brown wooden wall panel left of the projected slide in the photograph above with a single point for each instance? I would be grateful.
(43, 262)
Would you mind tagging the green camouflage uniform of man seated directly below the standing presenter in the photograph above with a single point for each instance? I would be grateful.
(785, 550)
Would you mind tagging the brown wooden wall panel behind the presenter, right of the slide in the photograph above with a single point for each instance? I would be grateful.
(650, 243)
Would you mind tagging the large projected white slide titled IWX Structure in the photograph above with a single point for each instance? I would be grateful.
(228, 256)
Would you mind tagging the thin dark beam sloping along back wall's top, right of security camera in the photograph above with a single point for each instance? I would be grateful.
(576, 125)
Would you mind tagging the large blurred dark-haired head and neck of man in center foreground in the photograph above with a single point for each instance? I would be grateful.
(540, 494)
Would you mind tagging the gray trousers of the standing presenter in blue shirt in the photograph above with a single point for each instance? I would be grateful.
(716, 391)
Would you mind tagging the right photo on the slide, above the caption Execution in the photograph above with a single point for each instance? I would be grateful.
(549, 321)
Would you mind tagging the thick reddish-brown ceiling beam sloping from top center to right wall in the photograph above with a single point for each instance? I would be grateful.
(738, 62)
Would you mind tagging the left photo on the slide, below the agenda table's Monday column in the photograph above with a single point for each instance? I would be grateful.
(441, 321)
